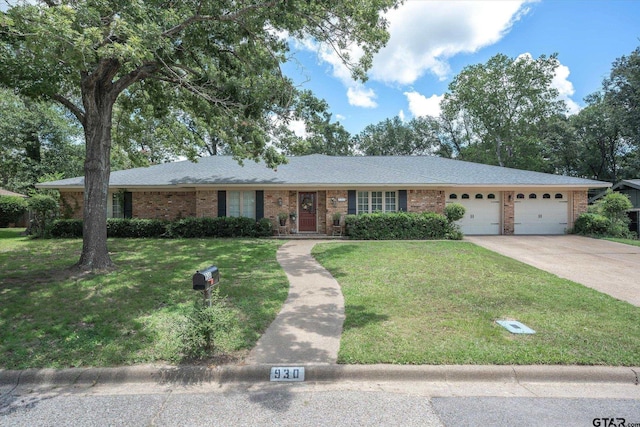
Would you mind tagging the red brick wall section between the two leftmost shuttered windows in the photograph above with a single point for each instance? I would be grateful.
(164, 205)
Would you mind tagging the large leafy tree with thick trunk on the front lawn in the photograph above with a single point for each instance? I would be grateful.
(176, 55)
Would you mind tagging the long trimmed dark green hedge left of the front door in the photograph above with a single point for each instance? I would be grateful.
(187, 227)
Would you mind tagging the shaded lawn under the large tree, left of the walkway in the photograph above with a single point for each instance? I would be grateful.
(51, 316)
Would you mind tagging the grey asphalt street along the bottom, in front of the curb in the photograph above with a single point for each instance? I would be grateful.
(344, 403)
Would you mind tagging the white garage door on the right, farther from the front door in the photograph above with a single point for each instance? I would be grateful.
(541, 213)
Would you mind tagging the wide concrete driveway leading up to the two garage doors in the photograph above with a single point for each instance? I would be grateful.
(611, 268)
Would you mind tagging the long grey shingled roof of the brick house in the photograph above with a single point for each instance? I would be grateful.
(329, 171)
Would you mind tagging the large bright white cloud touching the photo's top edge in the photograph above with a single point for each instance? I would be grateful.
(425, 34)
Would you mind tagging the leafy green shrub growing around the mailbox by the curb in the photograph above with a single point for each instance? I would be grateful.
(209, 329)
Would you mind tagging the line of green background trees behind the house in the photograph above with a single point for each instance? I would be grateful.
(504, 112)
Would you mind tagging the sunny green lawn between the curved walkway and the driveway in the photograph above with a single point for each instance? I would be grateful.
(437, 303)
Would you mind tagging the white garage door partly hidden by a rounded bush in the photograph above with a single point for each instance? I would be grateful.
(482, 214)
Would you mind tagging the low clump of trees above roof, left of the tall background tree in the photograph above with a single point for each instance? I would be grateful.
(393, 137)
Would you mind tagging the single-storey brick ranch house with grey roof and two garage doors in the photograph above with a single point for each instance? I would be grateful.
(498, 200)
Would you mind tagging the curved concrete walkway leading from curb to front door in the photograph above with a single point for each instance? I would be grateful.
(308, 328)
